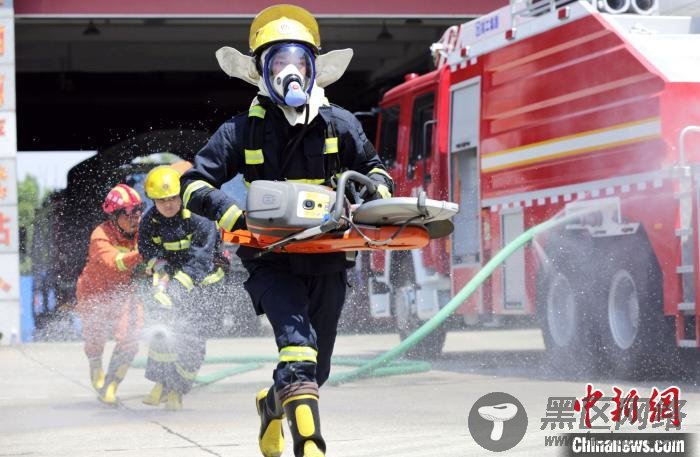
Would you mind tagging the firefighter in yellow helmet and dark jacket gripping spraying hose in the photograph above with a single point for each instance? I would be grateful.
(180, 248)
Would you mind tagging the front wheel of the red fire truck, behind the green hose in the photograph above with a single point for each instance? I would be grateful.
(407, 322)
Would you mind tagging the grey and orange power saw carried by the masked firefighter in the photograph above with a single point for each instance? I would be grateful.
(292, 217)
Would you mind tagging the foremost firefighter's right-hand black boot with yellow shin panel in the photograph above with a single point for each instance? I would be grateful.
(305, 425)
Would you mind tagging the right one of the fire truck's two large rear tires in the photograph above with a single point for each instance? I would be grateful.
(638, 340)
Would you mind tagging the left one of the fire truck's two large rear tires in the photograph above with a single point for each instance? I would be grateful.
(564, 304)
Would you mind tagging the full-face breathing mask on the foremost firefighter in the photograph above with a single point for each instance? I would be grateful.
(289, 73)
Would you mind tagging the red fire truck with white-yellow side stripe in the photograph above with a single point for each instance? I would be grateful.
(547, 107)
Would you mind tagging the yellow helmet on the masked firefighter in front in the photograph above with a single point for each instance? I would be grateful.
(283, 22)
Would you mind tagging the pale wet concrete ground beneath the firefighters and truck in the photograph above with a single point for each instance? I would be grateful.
(47, 407)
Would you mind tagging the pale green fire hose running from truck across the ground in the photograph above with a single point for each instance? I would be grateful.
(385, 364)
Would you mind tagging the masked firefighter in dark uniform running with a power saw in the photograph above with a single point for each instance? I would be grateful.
(290, 132)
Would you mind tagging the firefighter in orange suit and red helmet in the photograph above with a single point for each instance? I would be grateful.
(105, 293)
